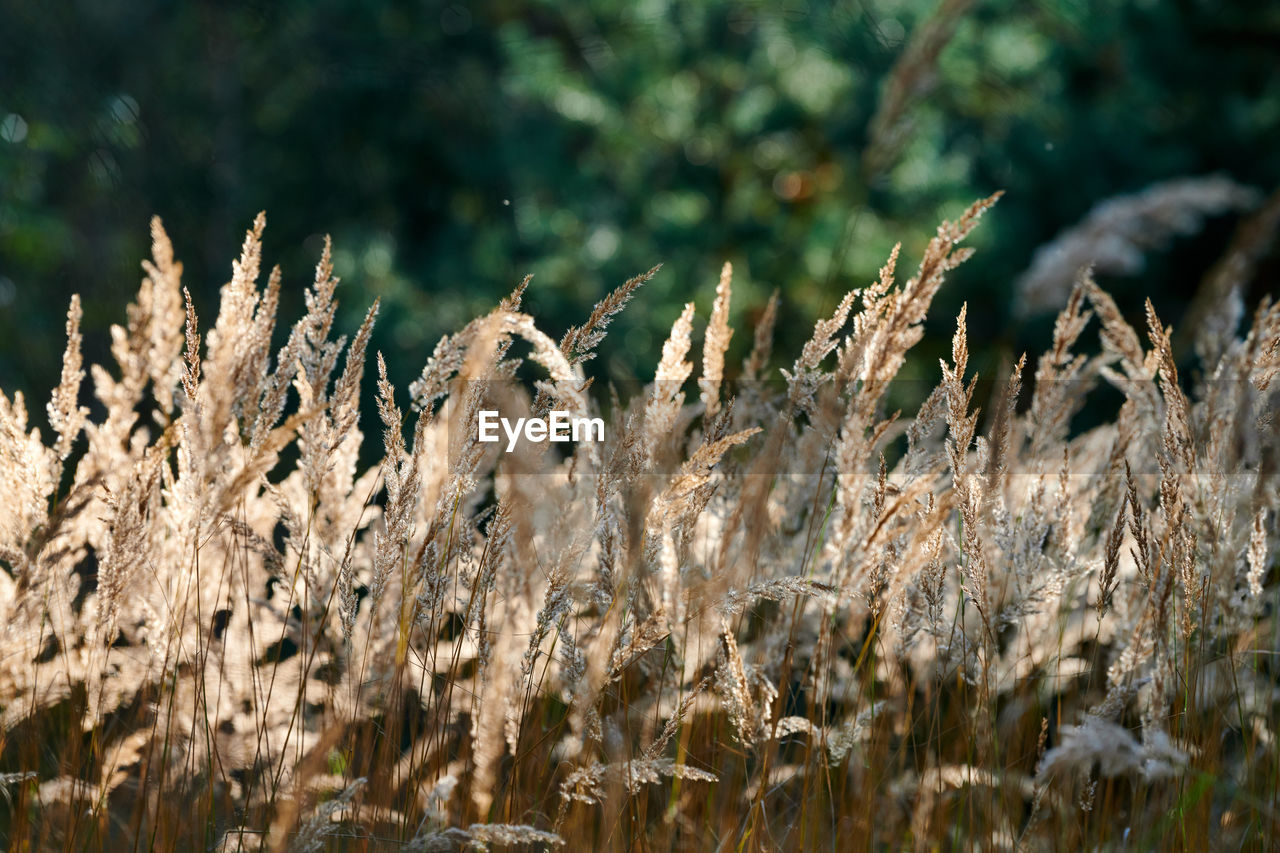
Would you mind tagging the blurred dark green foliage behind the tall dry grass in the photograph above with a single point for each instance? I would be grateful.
(450, 149)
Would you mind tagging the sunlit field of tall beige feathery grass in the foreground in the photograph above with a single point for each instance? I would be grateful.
(769, 612)
